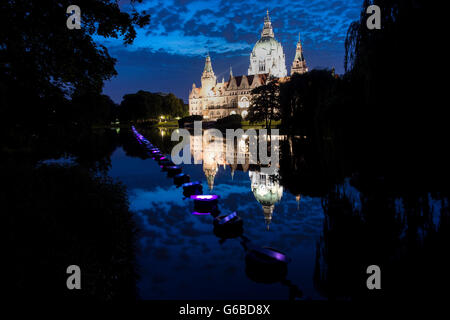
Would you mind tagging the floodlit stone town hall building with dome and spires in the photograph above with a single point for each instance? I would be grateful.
(215, 100)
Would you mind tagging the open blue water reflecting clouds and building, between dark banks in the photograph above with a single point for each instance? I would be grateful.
(179, 255)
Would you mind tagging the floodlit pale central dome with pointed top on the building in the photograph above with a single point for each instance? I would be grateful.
(267, 55)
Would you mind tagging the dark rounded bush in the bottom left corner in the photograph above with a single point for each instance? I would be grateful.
(57, 216)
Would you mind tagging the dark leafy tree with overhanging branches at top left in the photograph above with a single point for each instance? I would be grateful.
(43, 63)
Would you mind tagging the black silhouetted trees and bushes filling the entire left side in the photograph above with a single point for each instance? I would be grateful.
(56, 215)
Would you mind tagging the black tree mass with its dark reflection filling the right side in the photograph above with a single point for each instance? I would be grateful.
(381, 129)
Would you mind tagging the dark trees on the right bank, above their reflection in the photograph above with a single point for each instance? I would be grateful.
(383, 115)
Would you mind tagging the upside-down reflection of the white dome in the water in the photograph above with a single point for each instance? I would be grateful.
(267, 191)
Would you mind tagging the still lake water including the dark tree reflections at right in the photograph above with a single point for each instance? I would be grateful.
(331, 221)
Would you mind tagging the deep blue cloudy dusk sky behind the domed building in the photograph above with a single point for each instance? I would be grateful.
(168, 54)
